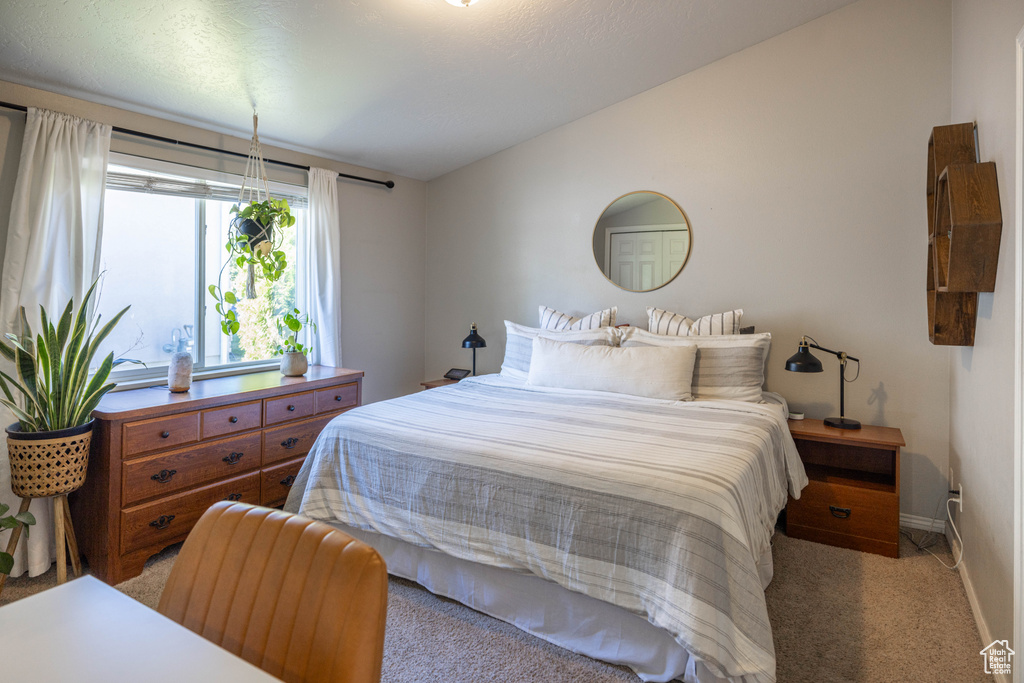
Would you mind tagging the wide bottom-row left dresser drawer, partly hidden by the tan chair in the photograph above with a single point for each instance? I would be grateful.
(169, 520)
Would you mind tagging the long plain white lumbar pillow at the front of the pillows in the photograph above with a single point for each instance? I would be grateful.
(652, 372)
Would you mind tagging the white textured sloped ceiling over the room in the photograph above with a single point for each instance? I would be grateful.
(412, 88)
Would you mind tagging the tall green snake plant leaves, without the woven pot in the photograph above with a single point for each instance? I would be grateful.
(55, 391)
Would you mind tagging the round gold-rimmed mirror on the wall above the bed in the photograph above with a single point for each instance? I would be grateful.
(642, 241)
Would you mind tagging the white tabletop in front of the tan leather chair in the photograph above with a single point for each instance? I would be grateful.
(87, 631)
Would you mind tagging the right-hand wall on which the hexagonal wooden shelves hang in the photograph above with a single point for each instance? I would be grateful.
(982, 421)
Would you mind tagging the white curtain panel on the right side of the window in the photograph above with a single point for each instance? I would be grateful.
(319, 274)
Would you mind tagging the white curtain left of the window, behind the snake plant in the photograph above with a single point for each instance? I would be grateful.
(53, 255)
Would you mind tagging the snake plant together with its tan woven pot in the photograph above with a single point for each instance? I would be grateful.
(54, 399)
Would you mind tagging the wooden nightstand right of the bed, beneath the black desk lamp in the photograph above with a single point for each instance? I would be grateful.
(852, 500)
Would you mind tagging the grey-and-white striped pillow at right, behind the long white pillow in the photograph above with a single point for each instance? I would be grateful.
(728, 366)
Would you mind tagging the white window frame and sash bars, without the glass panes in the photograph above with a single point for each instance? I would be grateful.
(130, 376)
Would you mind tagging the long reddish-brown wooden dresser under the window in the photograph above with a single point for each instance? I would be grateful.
(159, 459)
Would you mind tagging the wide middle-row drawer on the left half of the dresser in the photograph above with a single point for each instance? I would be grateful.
(170, 473)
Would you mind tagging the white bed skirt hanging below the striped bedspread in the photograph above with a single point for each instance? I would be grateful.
(576, 622)
